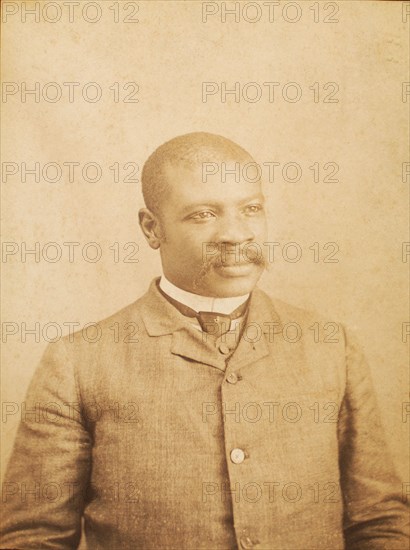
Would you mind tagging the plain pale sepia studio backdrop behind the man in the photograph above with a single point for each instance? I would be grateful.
(287, 68)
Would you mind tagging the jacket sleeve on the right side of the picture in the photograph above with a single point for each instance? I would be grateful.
(375, 514)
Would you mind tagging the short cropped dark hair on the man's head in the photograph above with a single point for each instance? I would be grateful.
(189, 149)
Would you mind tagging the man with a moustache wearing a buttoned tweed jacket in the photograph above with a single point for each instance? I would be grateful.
(209, 425)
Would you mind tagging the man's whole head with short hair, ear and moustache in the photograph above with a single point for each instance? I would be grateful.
(205, 214)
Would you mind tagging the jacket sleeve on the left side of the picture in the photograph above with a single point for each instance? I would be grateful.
(43, 492)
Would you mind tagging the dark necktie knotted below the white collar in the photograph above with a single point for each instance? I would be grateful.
(210, 321)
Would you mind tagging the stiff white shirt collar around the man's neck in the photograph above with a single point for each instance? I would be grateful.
(201, 303)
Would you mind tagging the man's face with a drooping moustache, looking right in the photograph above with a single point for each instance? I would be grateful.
(208, 228)
